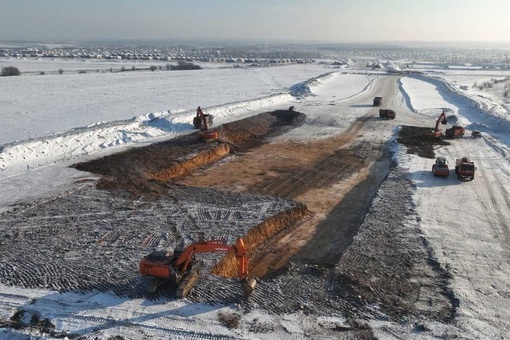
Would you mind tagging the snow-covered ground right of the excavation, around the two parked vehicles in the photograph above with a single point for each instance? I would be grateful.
(468, 223)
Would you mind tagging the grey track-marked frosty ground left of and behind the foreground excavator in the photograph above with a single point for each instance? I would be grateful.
(90, 239)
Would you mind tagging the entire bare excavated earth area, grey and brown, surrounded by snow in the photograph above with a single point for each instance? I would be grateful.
(329, 224)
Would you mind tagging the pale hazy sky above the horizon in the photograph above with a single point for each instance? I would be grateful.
(303, 20)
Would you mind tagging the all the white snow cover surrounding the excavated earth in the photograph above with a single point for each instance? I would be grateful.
(52, 120)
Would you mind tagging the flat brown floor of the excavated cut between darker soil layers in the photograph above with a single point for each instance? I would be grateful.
(317, 173)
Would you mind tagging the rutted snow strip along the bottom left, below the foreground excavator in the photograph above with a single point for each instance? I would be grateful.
(87, 325)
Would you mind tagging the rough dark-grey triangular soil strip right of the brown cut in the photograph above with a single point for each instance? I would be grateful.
(391, 264)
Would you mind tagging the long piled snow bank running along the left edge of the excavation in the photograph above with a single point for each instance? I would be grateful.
(101, 137)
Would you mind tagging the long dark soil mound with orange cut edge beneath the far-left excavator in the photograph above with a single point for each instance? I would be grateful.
(132, 169)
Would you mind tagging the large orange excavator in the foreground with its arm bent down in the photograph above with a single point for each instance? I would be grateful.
(181, 269)
